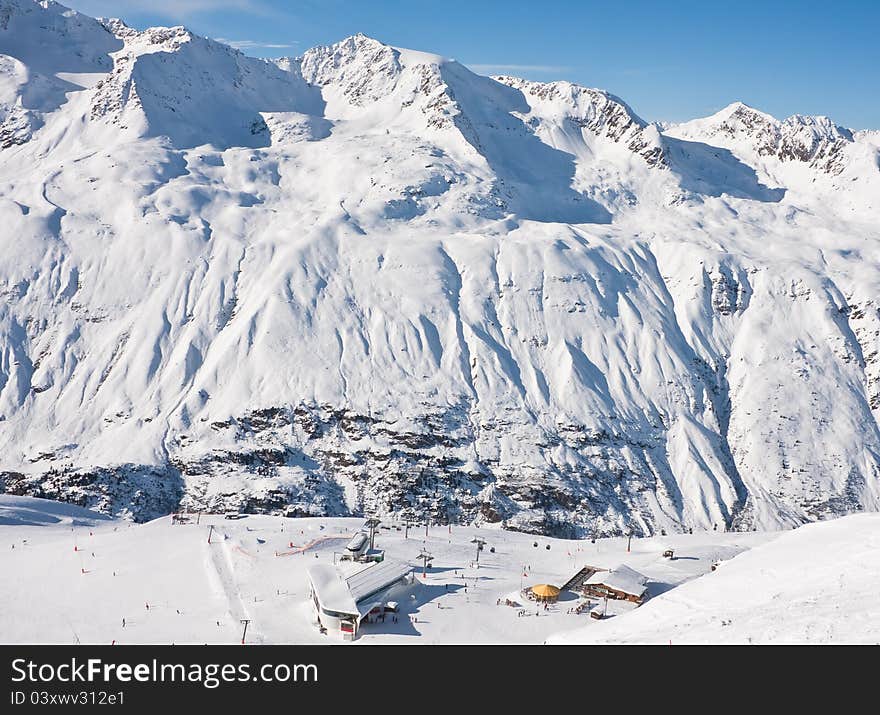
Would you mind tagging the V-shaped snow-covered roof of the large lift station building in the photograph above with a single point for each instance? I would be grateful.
(344, 593)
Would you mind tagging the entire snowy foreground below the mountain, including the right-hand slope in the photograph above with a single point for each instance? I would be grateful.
(77, 575)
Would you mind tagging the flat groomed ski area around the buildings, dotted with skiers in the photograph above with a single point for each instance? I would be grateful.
(76, 579)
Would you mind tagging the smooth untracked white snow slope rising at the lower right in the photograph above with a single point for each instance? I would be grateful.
(816, 584)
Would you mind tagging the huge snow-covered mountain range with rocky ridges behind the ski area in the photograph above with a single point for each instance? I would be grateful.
(369, 280)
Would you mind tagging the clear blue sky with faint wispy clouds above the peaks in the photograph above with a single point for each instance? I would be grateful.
(670, 60)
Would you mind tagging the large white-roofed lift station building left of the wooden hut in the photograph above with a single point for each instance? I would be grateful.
(342, 598)
